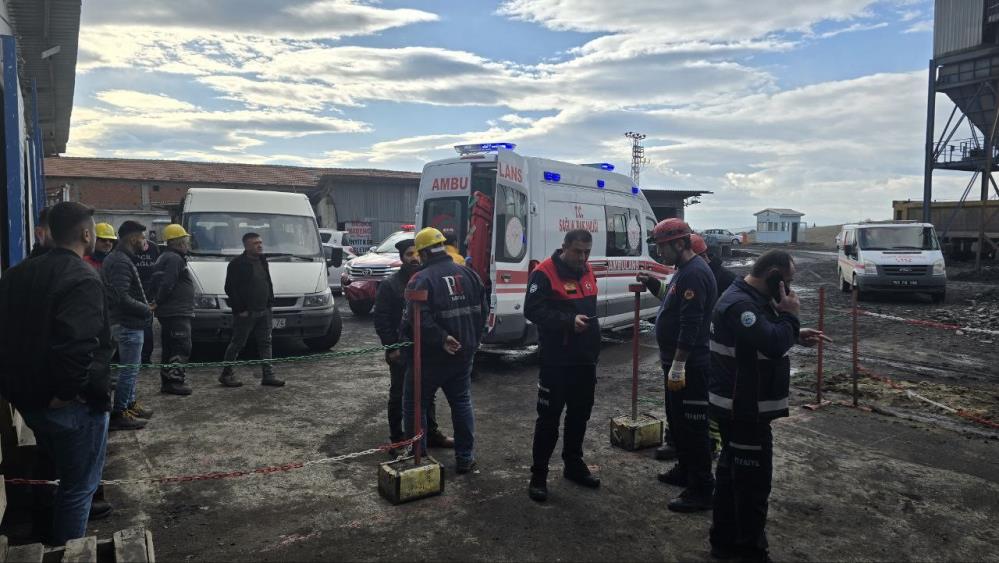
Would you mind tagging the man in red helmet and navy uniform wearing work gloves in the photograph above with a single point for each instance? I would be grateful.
(682, 328)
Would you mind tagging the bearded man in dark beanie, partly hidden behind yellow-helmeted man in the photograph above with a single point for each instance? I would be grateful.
(389, 305)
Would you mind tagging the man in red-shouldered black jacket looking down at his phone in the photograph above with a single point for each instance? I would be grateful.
(561, 301)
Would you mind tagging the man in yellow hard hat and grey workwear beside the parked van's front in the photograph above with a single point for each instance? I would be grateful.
(174, 299)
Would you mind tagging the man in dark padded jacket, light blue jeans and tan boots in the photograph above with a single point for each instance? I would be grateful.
(130, 314)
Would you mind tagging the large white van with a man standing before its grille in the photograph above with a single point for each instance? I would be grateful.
(217, 220)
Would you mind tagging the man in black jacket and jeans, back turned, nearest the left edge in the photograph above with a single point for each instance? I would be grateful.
(55, 350)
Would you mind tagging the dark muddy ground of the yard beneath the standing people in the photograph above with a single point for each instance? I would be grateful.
(848, 484)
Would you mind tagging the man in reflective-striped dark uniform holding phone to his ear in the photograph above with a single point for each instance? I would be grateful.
(755, 324)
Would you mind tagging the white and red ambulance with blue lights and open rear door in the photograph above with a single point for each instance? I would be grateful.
(506, 213)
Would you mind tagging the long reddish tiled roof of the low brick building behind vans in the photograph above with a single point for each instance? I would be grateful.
(207, 172)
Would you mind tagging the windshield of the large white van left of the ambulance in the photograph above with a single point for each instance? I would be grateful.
(215, 234)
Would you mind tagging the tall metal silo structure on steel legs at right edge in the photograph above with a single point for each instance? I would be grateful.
(965, 67)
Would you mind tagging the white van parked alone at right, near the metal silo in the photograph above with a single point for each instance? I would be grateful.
(891, 256)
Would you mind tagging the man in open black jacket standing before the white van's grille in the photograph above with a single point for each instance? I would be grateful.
(251, 296)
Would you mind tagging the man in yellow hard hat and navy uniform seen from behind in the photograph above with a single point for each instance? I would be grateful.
(452, 323)
